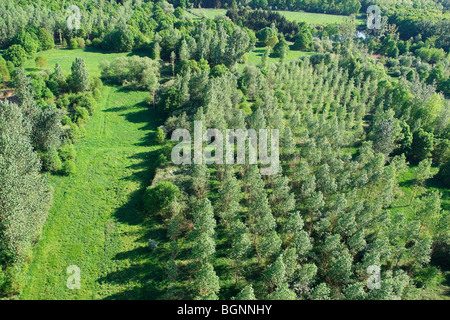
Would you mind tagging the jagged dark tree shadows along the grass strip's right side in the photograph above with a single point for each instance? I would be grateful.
(145, 277)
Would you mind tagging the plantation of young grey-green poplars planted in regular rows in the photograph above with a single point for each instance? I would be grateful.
(313, 230)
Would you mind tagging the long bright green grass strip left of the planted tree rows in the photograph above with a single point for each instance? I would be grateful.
(96, 221)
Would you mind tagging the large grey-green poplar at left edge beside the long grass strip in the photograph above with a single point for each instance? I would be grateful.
(25, 194)
